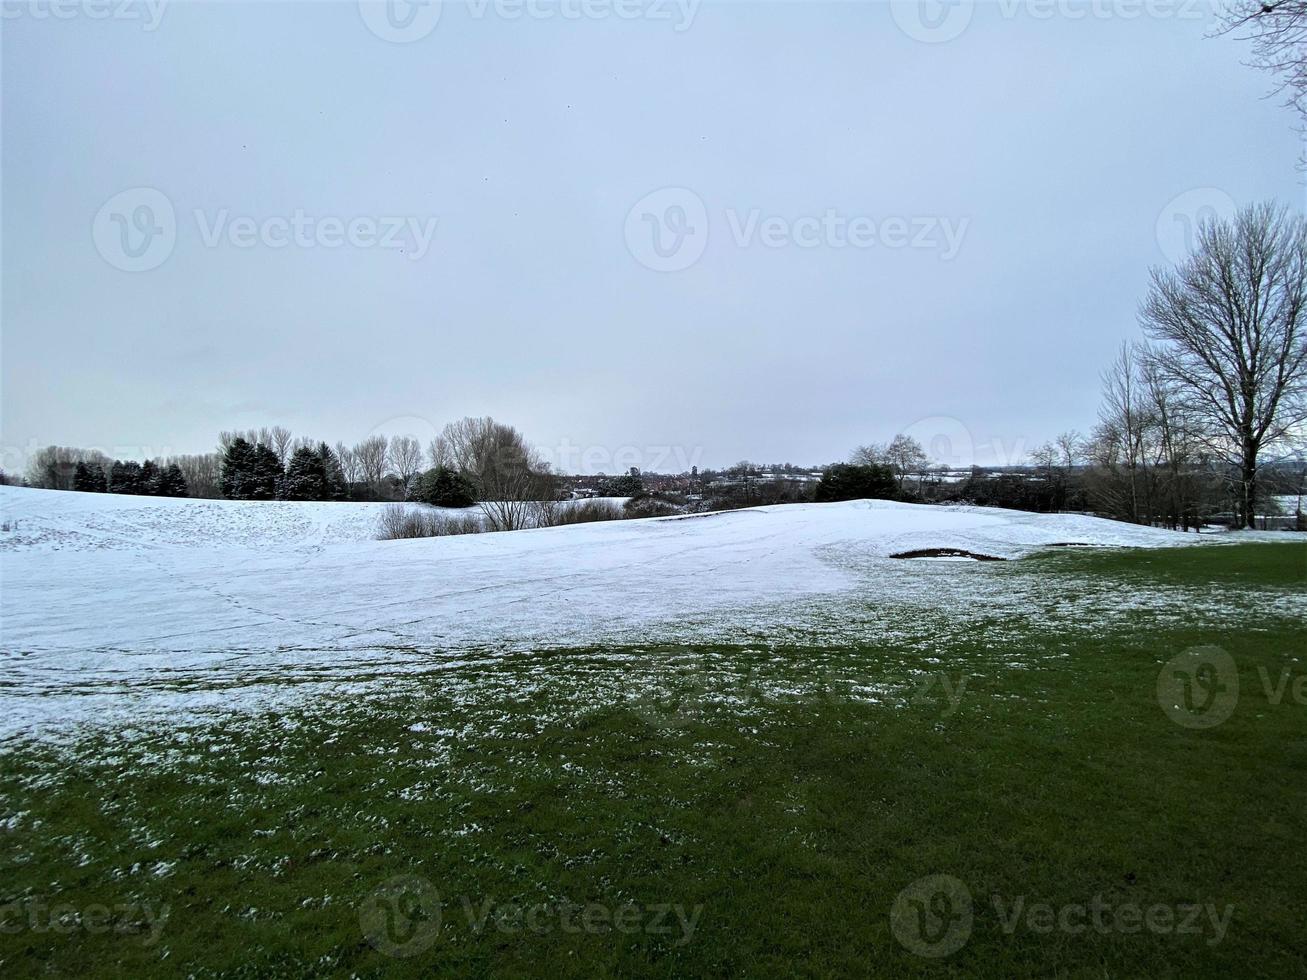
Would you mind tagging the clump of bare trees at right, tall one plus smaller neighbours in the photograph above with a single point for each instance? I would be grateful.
(1217, 389)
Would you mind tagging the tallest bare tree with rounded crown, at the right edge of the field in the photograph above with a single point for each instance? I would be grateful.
(1234, 343)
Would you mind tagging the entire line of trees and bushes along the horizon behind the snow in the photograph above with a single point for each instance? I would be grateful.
(1194, 420)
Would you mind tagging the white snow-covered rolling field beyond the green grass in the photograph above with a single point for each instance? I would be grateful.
(129, 608)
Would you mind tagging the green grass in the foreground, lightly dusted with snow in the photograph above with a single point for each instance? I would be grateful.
(781, 798)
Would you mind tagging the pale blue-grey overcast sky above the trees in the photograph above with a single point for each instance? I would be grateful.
(645, 233)
